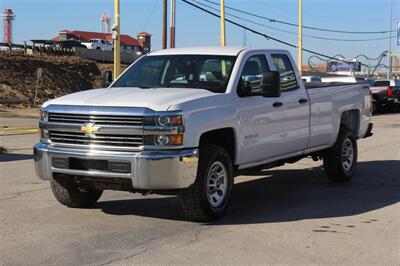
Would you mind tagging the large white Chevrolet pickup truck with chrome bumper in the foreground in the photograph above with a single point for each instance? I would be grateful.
(187, 121)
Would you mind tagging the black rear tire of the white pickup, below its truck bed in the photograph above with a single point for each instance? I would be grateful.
(337, 164)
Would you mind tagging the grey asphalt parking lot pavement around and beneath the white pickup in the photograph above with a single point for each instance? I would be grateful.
(290, 215)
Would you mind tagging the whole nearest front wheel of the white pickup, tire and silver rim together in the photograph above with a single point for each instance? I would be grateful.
(208, 198)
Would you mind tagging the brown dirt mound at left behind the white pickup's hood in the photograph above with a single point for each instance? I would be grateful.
(61, 76)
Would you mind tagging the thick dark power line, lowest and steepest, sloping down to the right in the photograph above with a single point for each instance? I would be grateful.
(268, 37)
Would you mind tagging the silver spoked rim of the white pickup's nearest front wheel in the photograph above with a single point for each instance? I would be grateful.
(217, 184)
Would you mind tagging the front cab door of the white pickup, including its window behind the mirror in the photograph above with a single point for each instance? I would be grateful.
(259, 120)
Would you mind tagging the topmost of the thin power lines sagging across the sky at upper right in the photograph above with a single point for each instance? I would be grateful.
(296, 25)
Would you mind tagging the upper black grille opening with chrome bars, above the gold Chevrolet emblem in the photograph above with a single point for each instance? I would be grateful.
(98, 119)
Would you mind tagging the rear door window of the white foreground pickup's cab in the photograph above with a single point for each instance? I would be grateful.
(285, 68)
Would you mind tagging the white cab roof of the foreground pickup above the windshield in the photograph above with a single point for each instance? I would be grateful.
(233, 51)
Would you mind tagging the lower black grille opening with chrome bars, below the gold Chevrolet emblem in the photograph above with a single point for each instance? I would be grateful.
(98, 139)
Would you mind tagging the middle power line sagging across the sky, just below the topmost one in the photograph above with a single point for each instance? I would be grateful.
(291, 32)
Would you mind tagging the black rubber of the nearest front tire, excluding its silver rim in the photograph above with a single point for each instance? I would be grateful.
(195, 202)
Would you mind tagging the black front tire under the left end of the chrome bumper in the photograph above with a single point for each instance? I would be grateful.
(69, 194)
